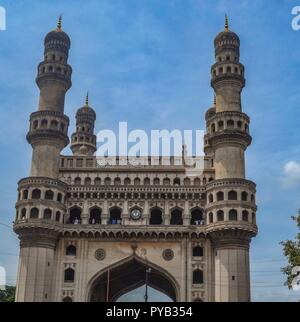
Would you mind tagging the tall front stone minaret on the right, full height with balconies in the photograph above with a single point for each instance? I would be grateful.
(231, 205)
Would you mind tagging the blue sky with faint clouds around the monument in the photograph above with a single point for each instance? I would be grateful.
(148, 62)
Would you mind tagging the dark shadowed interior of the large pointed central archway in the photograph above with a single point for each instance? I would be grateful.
(127, 276)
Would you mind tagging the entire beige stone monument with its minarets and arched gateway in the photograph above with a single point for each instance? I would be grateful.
(89, 232)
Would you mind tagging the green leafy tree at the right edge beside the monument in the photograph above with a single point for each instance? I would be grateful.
(291, 249)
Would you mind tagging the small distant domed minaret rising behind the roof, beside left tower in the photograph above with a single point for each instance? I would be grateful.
(84, 140)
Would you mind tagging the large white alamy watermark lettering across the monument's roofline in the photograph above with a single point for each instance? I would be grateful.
(159, 147)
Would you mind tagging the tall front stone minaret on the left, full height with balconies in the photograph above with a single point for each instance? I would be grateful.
(40, 207)
